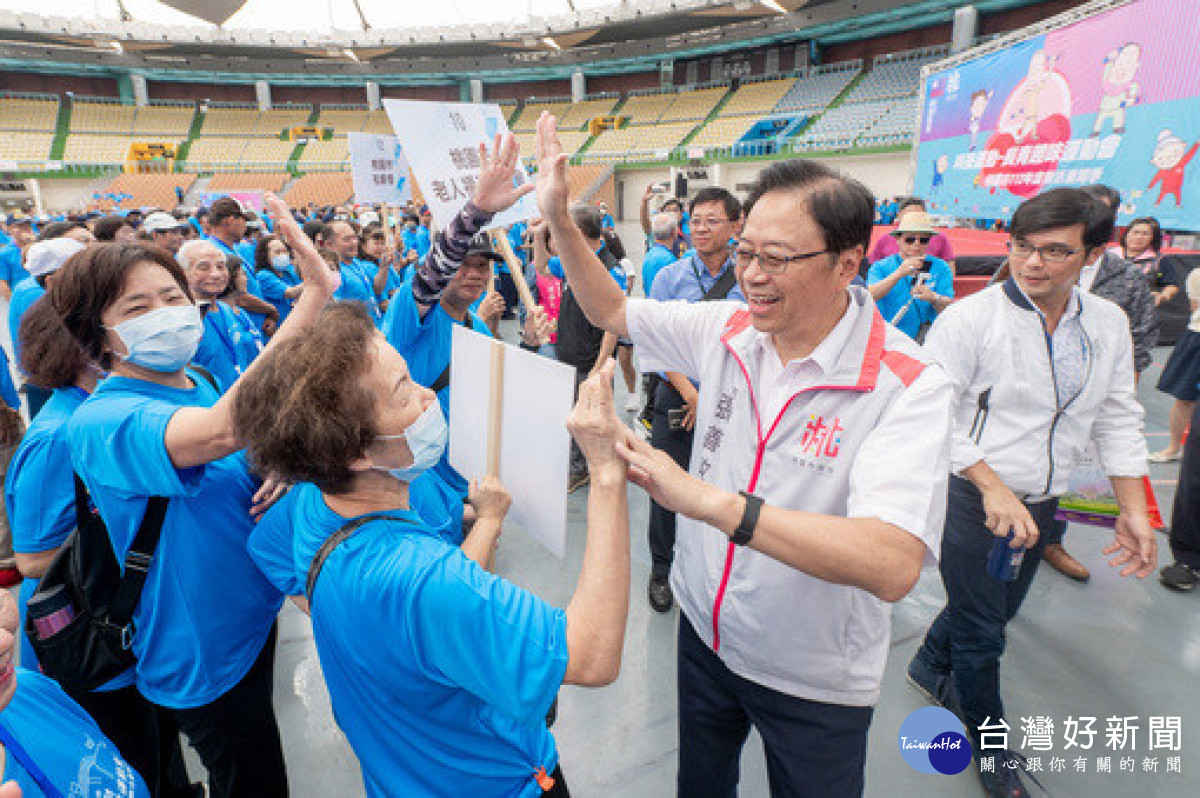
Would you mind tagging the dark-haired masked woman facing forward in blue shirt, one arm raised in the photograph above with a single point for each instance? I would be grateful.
(206, 621)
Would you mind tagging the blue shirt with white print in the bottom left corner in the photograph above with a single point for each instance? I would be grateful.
(64, 743)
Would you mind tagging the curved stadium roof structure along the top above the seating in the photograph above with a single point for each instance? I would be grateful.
(328, 41)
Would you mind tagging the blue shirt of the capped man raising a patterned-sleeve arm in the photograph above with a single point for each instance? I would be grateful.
(425, 345)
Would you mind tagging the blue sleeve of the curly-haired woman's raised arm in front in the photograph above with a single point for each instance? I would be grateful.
(490, 638)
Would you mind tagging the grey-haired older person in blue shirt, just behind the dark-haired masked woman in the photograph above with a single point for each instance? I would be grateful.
(231, 340)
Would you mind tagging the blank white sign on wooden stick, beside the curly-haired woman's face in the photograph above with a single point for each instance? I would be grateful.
(508, 418)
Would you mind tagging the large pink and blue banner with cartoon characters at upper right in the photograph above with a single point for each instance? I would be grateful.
(1112, 99)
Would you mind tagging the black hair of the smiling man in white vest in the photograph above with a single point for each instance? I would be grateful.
(842, 207)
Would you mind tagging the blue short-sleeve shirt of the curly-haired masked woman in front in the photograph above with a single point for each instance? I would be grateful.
(460, 693)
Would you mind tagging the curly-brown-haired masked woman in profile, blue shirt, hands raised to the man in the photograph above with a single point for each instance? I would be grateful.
(454, 705)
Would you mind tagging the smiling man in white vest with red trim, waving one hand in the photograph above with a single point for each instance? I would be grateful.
(817, 488)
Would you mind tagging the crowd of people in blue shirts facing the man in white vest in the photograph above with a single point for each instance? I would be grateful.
(283, 381)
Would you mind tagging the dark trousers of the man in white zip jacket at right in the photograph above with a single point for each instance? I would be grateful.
(968, 638)
